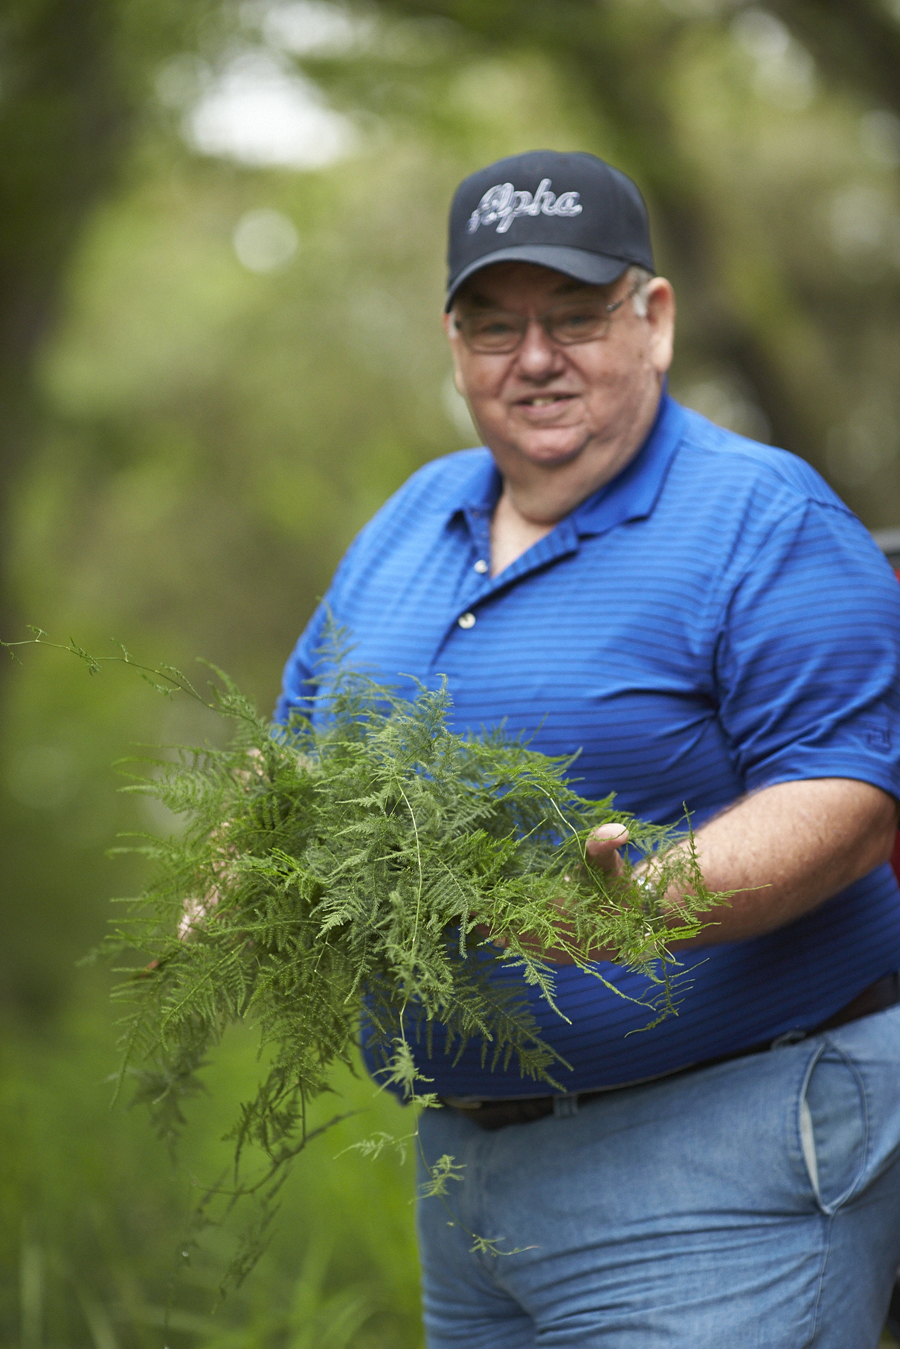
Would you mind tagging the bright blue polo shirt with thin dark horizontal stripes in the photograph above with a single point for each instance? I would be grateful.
(710, 623)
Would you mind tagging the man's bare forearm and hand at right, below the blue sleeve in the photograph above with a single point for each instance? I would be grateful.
(785, 849)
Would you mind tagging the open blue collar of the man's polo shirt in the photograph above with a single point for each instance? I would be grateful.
(631, 496)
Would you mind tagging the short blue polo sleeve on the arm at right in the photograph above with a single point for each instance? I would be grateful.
(809, 656)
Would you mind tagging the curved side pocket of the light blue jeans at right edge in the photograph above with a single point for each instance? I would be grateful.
(835, 1128)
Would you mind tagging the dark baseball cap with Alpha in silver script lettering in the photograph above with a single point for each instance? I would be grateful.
(571, 212)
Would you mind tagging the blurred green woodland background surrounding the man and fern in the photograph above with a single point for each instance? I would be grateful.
(221, 283)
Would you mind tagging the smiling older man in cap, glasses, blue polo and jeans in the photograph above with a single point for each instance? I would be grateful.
(693, 613)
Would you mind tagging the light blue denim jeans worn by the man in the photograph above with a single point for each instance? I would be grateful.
(752, 1205)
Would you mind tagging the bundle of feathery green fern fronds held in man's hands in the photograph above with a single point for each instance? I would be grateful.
(351, 867)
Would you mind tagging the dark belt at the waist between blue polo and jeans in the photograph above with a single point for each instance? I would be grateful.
(496, 1115)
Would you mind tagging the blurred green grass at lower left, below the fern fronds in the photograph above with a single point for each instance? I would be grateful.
(98, 1219)
